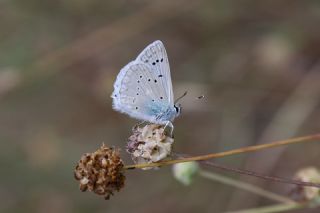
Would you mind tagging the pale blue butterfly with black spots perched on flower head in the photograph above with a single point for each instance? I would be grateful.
(143, 88)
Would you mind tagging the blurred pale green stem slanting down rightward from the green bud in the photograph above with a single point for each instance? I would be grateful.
(245, 186)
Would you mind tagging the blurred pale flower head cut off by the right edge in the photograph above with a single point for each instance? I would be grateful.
(308, 174)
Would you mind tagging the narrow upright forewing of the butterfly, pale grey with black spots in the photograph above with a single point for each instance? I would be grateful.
(156, 57)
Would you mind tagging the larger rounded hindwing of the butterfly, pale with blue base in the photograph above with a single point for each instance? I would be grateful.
(137, 92)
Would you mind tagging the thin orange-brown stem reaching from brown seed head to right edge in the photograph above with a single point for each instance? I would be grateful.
(228, 153)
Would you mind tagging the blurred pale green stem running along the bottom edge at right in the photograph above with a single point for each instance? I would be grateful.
(273, 208)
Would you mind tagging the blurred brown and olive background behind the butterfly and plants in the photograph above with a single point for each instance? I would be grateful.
(256, 62)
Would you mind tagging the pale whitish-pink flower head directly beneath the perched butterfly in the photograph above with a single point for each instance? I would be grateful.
(149, 144)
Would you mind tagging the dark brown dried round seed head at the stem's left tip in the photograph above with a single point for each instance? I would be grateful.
(100, 172)
